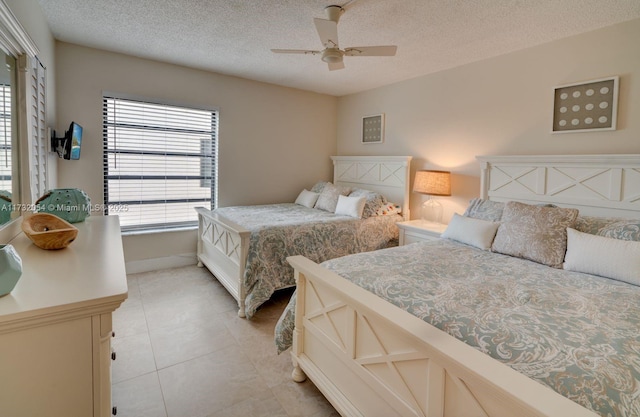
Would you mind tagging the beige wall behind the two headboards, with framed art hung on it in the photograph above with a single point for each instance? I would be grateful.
(501, 105)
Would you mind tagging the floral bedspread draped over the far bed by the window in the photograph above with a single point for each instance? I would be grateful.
(282, 230)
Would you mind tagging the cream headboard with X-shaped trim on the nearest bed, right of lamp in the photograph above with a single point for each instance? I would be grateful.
(597, 184)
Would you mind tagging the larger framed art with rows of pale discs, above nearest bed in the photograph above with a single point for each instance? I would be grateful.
(586, 107)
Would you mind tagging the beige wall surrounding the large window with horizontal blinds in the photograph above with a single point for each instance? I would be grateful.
(274, 141)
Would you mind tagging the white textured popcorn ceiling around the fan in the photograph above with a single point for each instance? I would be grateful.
(234, 37)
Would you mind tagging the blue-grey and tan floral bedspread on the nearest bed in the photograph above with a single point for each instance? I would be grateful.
(576, 333)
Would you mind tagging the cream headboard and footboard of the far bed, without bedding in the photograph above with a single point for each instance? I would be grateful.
(223, 245)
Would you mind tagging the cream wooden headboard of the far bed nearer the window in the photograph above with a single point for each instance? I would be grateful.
(387, 175)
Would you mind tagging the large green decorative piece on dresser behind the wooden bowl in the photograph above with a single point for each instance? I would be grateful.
(70, 204)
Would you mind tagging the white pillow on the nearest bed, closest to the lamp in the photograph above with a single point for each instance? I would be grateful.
(475, 232)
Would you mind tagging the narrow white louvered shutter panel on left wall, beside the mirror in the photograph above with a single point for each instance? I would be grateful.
(37, 124)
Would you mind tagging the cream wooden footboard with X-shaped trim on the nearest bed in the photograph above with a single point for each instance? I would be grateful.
(370, 358)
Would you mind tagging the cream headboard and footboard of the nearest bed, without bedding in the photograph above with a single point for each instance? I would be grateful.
(370, 358)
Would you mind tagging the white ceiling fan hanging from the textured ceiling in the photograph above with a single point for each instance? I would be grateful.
(332, 54)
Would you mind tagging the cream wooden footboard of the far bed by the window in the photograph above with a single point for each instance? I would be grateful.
(222, 248)
